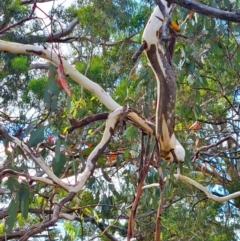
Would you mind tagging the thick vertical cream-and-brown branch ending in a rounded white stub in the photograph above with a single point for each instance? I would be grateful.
(166, 86)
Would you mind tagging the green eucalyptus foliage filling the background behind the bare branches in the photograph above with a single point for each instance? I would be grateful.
(37, 111)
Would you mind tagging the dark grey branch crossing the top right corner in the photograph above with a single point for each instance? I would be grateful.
(208, 11)
